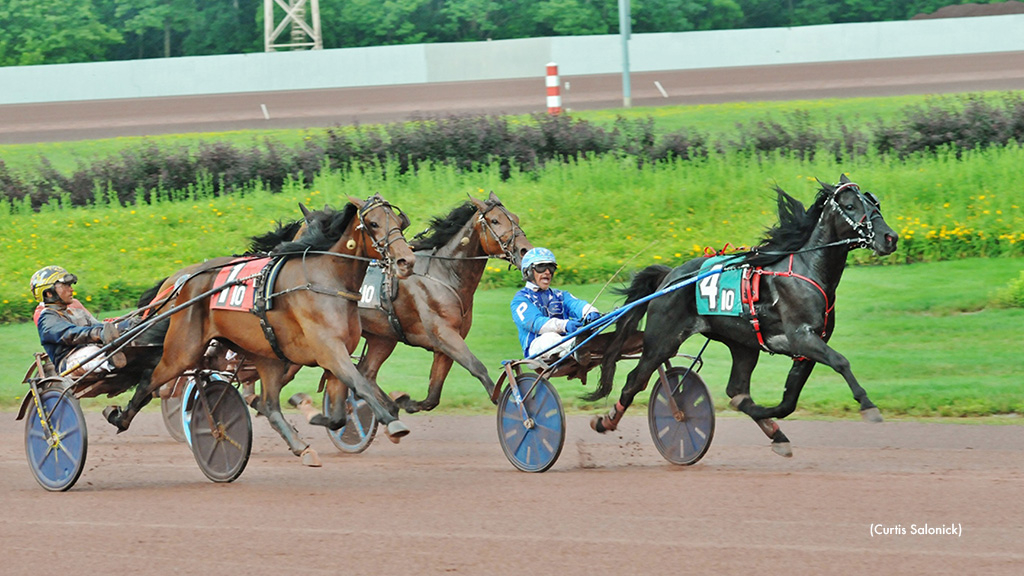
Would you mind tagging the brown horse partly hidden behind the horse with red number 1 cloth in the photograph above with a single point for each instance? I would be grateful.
(434, 309)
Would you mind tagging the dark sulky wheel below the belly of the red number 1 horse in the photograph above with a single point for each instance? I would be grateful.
(222, 430)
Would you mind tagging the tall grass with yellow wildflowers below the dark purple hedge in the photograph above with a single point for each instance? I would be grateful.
(598, 215)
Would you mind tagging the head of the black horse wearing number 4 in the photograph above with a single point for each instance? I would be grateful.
(861, 218)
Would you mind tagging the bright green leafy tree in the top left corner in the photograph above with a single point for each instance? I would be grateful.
(37, 32)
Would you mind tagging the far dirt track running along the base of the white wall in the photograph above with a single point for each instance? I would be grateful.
(310, 109)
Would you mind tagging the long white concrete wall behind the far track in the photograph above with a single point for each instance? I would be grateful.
(507, 59)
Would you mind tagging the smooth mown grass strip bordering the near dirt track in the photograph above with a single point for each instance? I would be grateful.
(918, 338)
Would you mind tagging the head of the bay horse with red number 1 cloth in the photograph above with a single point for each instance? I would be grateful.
(382, 224)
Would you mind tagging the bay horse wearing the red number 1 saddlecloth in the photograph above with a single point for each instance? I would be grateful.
(311, 318)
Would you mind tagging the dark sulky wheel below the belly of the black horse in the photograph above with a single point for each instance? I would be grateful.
(682, 425)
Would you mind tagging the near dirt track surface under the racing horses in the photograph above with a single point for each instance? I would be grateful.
(446, 501)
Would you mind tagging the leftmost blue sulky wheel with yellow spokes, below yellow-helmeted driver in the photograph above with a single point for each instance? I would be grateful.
(57, 442)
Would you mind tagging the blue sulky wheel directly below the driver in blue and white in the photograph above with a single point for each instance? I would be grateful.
(532, 434)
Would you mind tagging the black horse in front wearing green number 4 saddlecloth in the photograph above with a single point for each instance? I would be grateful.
(792, 277)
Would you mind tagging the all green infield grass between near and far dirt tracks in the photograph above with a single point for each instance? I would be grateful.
(923, 339)
